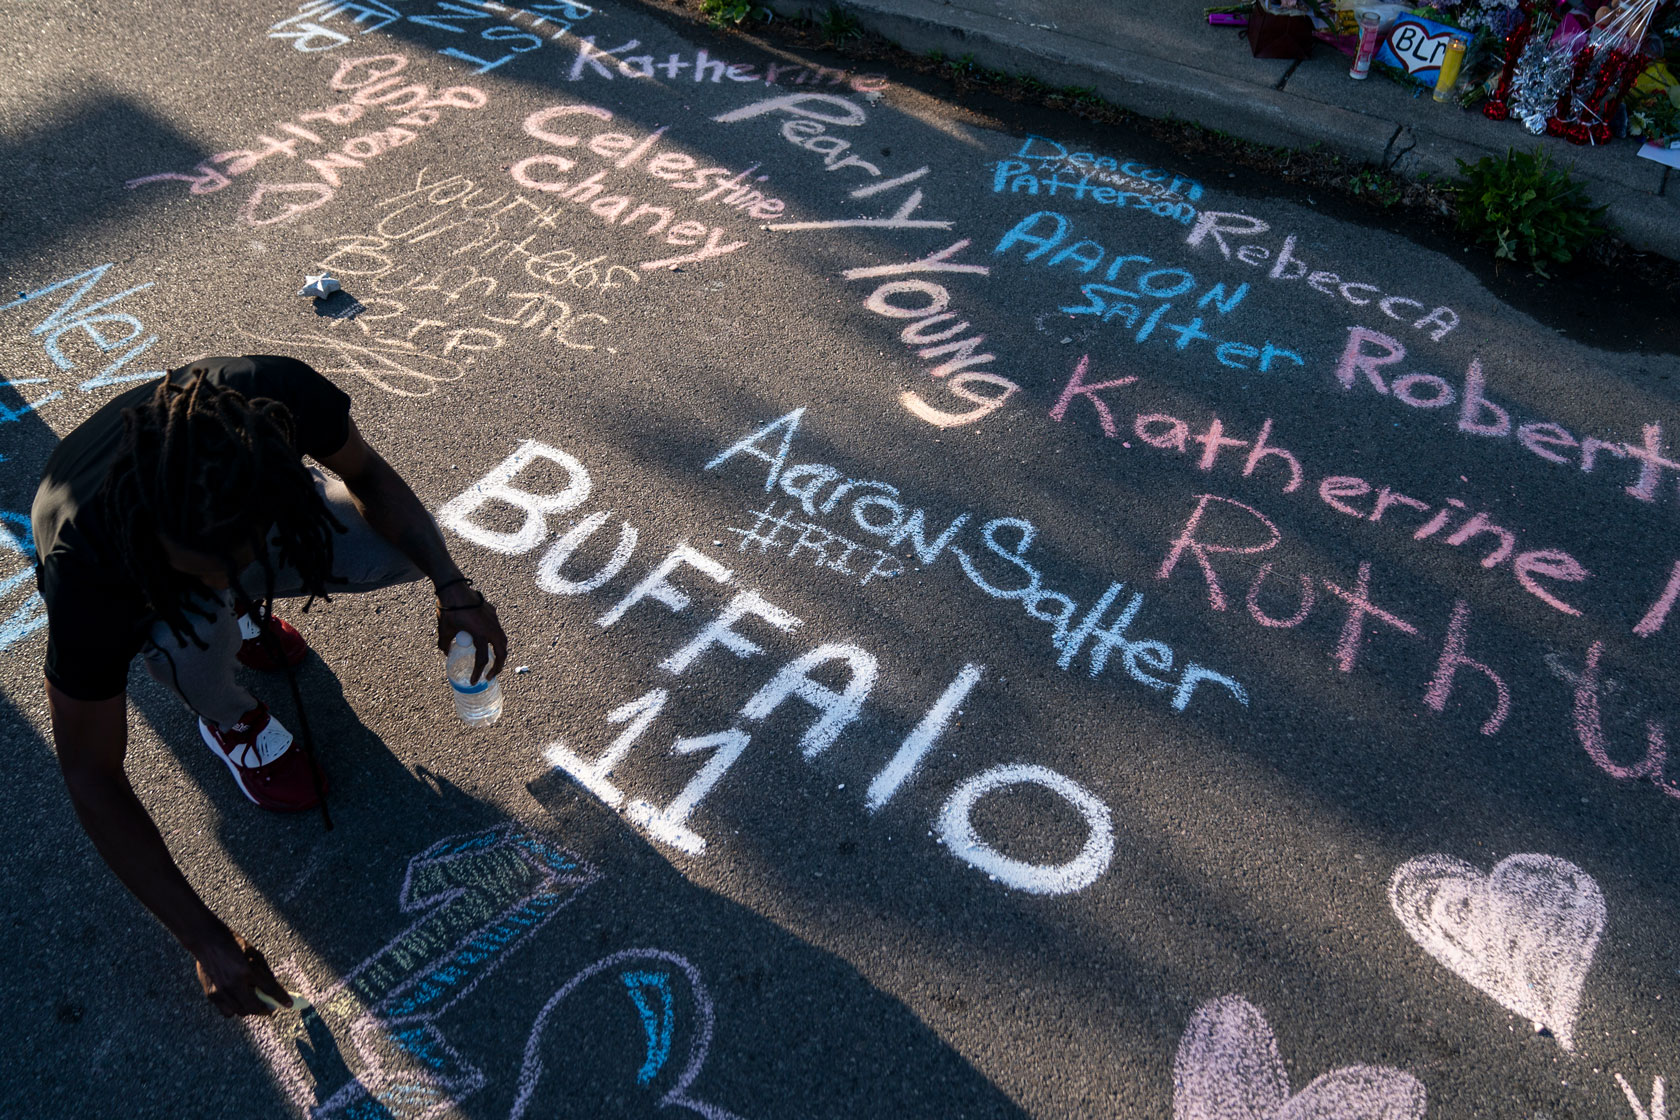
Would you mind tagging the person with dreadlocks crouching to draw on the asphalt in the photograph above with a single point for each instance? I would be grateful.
(165, 526)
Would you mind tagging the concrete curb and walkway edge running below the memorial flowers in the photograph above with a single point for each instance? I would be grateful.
(1390, 128)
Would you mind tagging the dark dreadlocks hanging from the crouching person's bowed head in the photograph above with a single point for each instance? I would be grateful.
(213, 471)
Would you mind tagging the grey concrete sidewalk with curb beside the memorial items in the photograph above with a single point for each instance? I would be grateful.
(1163, 60)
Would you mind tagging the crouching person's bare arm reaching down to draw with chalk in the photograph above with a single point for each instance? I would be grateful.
(92, 740)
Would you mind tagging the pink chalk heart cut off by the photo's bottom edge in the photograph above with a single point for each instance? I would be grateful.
(1229, 1069)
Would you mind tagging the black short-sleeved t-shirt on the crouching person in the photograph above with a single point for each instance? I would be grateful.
(97, 614)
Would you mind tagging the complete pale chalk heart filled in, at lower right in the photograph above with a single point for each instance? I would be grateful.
(1525, 933)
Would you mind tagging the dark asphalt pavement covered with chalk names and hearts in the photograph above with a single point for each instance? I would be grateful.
(1007, 620)
